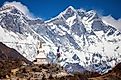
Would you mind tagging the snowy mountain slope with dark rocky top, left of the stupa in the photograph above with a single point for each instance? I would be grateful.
(16, 32)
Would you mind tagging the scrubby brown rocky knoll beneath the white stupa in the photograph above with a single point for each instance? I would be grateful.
(49, 72)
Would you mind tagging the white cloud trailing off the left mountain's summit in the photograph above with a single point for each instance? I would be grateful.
(22, 8)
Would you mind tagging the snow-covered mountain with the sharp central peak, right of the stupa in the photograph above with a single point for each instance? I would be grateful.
(85, 41)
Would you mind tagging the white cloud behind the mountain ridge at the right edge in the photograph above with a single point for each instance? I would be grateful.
(113, 22)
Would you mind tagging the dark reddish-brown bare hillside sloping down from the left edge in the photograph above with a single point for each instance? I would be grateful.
(10, 59)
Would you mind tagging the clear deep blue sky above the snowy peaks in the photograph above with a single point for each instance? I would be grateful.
(47, 9)
